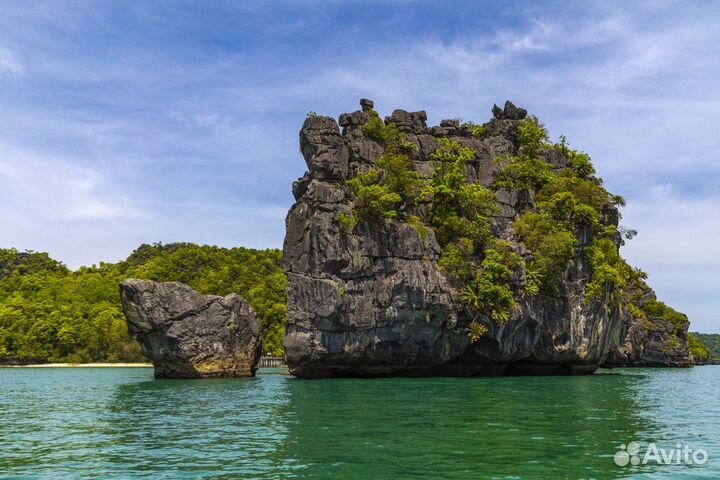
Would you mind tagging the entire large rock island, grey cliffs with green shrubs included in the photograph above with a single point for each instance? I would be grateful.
(461, 249)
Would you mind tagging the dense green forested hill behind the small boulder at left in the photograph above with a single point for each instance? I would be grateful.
(50, 313)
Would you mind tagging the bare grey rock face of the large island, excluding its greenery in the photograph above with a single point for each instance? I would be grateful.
(375, 301)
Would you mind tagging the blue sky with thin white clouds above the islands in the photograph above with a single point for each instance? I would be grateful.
(124, 123)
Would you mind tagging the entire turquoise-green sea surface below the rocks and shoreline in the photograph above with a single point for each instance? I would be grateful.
(120, 423)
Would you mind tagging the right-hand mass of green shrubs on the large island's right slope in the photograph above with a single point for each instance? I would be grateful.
(569, 203)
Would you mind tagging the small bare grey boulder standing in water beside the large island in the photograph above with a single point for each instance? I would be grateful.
(189, 335)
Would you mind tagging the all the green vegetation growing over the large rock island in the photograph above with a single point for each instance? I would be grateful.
(565, 214)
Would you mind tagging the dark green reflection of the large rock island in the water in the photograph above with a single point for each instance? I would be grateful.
(438, 428)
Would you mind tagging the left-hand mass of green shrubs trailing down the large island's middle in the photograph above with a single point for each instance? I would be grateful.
(456, 210)
